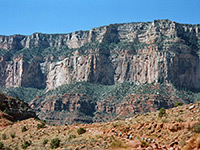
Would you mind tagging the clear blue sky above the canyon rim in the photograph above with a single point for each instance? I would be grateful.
(64, 16)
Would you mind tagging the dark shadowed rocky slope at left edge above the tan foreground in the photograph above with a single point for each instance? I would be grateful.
(14, 109)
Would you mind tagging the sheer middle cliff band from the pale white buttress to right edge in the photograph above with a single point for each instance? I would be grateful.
(147, 66)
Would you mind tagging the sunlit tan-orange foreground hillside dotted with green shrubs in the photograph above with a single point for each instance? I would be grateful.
(177, 128)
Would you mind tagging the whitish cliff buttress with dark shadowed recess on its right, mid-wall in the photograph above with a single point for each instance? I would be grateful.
(94, 68)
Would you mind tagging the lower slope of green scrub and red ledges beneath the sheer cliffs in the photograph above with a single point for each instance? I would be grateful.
(87, 103)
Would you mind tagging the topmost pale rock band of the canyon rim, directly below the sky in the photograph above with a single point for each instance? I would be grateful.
(142, 32)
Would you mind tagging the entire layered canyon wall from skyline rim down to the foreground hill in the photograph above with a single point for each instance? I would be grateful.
(108, 72)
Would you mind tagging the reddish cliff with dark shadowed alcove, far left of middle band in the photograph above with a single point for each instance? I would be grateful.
(16, 73)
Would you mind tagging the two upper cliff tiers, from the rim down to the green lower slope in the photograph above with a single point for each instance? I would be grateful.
(165, 51)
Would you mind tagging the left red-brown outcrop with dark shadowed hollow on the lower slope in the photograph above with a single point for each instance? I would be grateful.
(69, 108)
